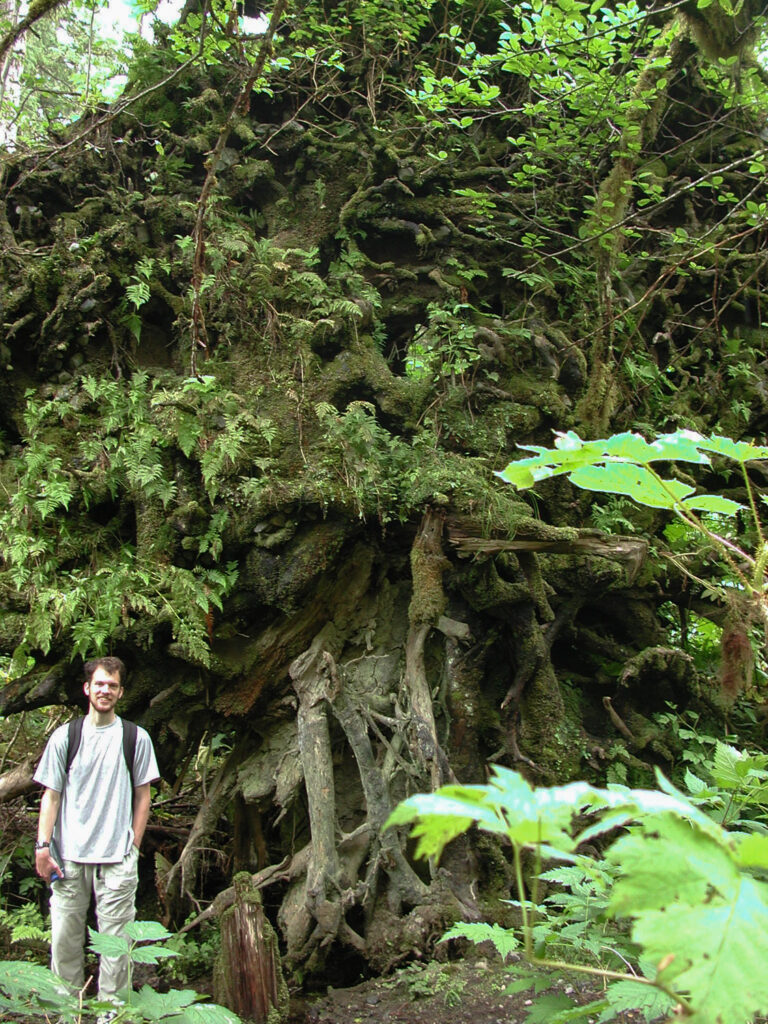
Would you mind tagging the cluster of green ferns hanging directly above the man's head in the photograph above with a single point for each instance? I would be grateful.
(106, 445)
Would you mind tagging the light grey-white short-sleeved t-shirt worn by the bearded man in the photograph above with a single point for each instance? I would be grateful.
(97, 812)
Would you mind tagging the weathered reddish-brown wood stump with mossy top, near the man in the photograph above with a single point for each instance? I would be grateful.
(248, 976)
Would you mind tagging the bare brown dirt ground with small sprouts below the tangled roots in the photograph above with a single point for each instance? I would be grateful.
(461, 993)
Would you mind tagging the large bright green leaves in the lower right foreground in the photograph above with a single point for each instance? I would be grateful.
(702, 918)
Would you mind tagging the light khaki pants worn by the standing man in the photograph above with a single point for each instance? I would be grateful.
(115, 889)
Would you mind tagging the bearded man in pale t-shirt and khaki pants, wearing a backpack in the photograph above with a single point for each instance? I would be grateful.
(93, 820)
